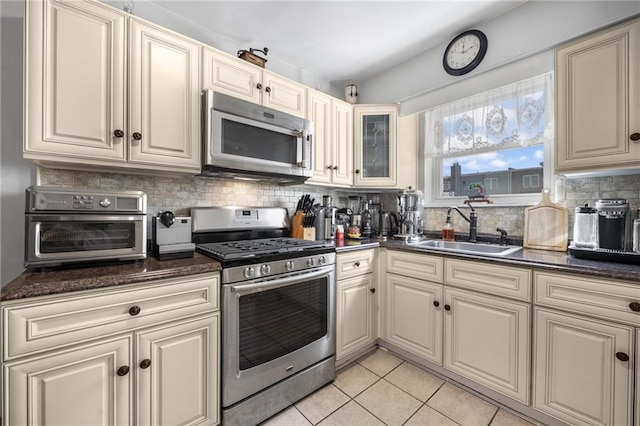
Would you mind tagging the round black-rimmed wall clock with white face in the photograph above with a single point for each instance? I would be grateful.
(465, 52)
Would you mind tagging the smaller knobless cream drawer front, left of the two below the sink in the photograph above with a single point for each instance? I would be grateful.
(414, 265)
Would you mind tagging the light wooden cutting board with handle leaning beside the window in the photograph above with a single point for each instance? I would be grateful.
(546, 225)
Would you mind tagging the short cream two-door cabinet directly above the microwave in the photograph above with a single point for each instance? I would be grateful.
(235, 77)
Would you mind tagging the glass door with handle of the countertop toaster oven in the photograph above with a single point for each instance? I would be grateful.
(54, 239)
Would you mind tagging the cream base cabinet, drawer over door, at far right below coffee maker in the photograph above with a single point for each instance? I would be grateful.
(584, 348)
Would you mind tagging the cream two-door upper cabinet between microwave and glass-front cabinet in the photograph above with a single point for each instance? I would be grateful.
(332, 139)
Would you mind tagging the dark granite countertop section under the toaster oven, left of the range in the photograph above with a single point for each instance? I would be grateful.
(33, 283)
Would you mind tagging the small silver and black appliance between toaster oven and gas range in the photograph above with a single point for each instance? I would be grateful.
(171, 236)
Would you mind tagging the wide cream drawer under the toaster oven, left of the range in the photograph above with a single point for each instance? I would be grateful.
(56, 321)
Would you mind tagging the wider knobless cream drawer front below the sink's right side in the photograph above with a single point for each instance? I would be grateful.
(489, 278)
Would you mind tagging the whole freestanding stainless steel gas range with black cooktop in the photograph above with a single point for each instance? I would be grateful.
(278, 309)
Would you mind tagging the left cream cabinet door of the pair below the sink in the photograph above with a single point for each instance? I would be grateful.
(414, 316)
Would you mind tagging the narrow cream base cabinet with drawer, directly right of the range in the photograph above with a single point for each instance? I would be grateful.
(356, 306)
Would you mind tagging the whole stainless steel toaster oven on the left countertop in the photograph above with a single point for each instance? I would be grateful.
(68, 226)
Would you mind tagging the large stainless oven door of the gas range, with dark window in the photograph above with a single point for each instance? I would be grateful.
(275, 328)
